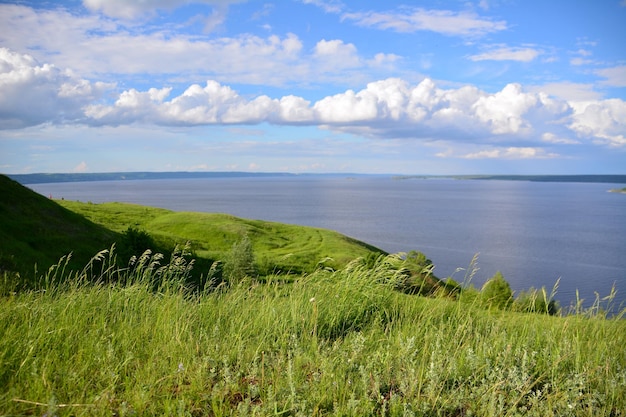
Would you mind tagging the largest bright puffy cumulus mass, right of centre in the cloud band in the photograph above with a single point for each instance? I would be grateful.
(392, 108)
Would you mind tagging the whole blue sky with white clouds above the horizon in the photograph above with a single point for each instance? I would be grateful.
(313, 86)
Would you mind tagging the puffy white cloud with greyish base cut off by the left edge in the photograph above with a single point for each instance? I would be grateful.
(32, 93)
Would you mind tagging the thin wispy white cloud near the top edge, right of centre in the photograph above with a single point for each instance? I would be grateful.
(446, 22)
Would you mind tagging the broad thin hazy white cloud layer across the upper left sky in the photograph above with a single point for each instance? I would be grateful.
(52, 36)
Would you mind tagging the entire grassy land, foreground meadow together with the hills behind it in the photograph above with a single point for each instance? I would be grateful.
(346, 335)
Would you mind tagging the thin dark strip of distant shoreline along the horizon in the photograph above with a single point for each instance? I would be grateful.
(41, 178)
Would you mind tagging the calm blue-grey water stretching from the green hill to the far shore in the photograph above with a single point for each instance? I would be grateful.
(534, 233)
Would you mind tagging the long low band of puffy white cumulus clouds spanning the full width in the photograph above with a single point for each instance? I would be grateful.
(32, 93)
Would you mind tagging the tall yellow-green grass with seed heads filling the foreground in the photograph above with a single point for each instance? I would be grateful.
(331, 343)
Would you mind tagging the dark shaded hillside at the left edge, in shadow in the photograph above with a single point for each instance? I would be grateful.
(36, 230)
